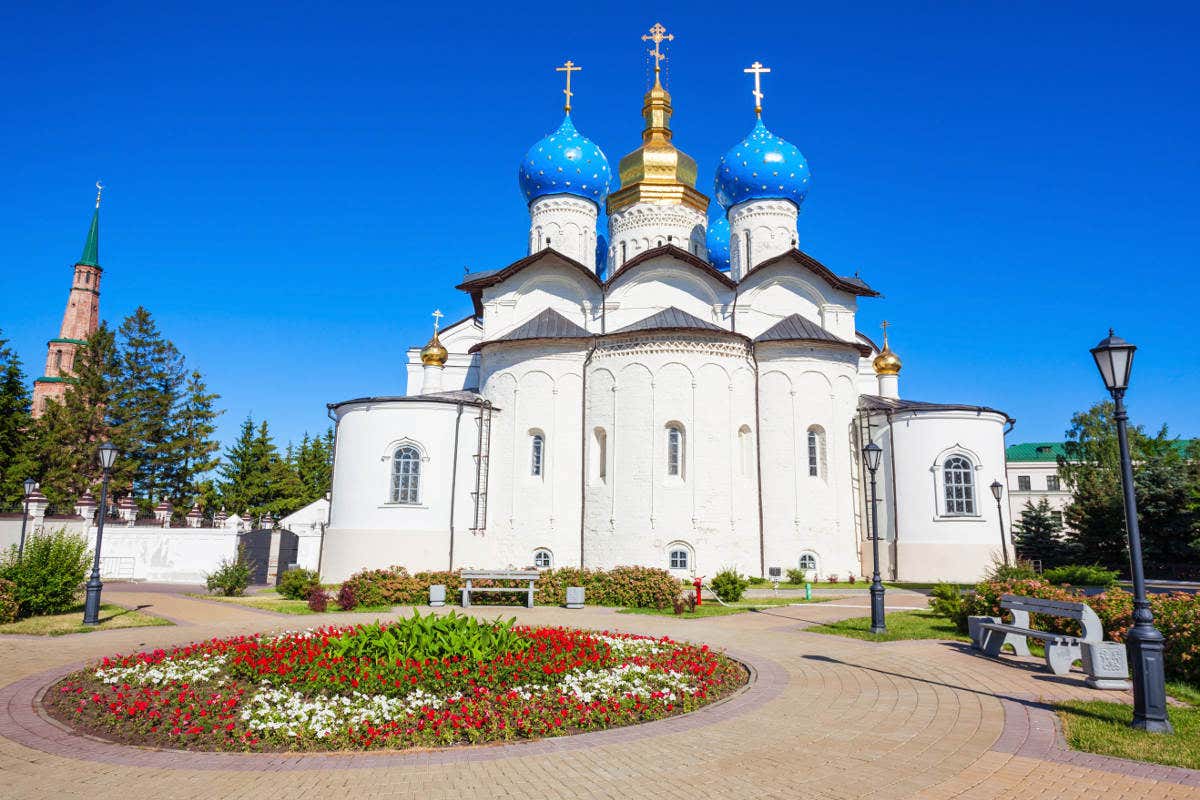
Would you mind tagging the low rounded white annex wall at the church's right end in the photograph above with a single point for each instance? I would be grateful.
(933, 545)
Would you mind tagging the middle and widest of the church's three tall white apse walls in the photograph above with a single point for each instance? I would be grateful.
(637, 387)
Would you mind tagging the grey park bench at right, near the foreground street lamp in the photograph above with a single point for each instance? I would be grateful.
(991, 635)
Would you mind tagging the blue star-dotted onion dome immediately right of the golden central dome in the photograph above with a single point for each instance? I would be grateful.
(763, 167)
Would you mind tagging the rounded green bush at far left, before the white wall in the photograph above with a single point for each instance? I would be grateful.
(51, 575)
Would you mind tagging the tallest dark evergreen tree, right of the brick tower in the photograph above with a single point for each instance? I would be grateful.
(151, 387)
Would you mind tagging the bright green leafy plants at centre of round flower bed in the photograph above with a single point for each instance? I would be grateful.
(430, 637)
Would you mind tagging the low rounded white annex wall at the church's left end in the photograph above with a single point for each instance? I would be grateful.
(367, 528)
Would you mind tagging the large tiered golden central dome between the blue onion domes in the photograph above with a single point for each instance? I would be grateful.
(658, 172)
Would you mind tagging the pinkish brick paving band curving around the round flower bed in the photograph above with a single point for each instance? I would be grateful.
(23, 720)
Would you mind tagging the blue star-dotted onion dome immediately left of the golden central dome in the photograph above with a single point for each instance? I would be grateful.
(566, 163)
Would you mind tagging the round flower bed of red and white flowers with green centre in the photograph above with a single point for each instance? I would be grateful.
(356, 689)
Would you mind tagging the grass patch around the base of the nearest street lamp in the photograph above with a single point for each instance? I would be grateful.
(1103, 729)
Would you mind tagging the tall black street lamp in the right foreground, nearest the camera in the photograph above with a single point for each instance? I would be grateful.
(1144, 643)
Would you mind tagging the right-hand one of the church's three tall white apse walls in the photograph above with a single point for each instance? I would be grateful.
(809, 389)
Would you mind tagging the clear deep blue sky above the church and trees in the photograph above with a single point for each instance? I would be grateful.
(287, 184)
